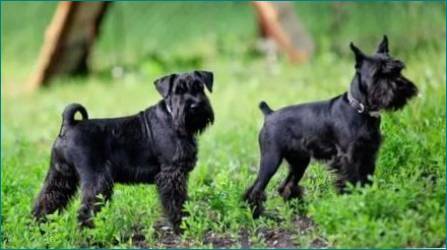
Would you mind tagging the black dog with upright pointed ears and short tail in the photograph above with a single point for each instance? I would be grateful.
(343, 131)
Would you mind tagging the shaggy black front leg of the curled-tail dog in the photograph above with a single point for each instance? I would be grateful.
(172, 187)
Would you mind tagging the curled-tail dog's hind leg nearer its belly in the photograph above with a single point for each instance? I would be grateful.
(97, 188)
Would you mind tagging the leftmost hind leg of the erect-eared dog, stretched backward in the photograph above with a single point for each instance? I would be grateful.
(255, 196)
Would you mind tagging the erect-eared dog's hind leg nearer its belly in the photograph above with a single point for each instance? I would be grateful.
(289, 189)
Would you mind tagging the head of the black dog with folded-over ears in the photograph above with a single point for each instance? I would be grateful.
(185, 99)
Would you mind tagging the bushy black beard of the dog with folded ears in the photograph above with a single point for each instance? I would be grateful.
(192, 123)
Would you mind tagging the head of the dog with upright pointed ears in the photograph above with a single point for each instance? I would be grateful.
(378, 81)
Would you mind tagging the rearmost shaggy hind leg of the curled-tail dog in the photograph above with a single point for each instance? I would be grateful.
(59, 187)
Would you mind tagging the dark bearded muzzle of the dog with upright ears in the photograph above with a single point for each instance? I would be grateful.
(391, 93)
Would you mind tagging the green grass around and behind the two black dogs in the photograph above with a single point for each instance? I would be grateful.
(405, 207)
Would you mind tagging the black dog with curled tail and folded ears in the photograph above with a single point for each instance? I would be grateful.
(157, 145)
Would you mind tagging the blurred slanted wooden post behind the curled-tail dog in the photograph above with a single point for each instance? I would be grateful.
(68, 41)
